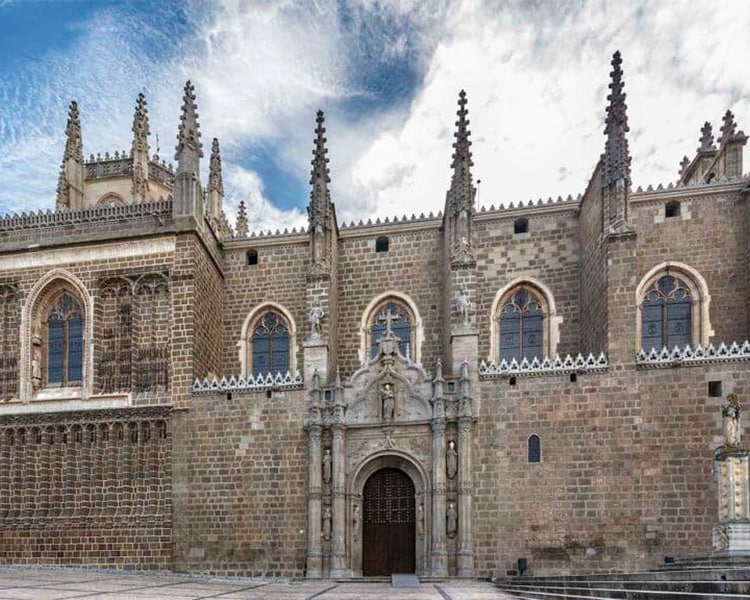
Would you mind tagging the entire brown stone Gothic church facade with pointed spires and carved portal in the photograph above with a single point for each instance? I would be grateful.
(168, 447)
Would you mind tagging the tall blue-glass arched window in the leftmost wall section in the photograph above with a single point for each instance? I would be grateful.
(65, 342)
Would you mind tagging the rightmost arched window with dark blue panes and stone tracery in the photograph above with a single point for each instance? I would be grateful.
(666, 314)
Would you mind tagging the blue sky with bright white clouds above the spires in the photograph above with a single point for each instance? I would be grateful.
(387, 74)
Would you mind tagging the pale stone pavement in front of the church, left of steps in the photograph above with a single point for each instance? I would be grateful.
(58, 584)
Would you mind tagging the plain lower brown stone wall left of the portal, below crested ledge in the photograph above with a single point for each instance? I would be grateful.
(241, 484)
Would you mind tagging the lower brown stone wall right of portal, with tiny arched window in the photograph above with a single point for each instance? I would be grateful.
(625, 477)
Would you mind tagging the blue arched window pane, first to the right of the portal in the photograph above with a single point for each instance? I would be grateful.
(521, 325)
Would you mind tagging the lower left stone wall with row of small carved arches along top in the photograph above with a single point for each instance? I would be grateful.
(87, 488)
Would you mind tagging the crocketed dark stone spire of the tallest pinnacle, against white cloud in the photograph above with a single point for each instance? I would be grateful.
(616, 152)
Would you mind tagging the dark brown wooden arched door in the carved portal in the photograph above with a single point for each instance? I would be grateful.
(388, 538)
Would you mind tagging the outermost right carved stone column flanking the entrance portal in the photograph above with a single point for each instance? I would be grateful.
(465, 559)
